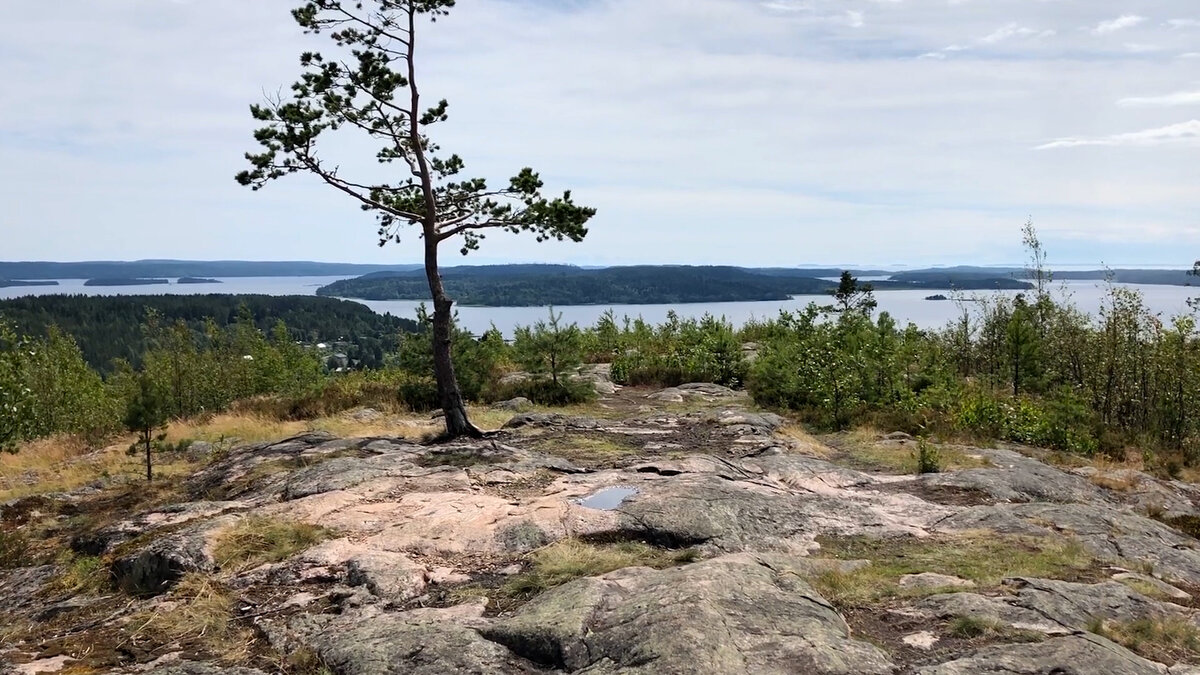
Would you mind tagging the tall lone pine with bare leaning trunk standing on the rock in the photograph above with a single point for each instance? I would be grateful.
(371, 89)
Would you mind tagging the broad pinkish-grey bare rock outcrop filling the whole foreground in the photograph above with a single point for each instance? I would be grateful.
(434, 553)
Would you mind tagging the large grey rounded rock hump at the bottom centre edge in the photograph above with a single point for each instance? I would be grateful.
(734, 614)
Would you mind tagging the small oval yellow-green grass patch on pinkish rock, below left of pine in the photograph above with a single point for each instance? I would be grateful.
(256, 541)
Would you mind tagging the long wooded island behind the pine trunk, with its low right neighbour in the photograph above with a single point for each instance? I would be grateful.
(565, 285)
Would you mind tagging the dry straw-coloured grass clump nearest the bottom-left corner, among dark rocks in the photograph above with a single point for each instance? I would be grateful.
(200, 614)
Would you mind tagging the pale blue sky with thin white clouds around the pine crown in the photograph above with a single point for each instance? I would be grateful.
(749, 133)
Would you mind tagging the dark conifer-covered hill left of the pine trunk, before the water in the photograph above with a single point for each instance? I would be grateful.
(110, 328)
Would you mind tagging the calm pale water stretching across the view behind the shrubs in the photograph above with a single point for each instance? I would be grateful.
(904, 306)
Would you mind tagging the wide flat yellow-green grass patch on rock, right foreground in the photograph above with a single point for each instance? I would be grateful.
(985, 559)
